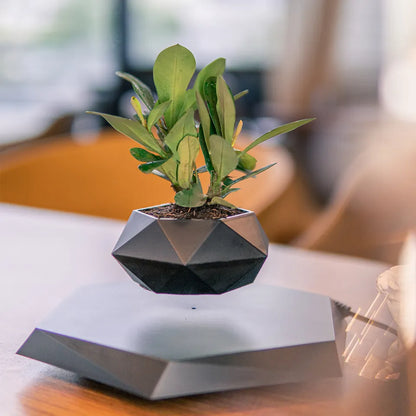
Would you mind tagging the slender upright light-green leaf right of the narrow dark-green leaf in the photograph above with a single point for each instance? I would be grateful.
(225, 109)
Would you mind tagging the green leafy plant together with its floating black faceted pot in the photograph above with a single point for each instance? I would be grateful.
(201, 243)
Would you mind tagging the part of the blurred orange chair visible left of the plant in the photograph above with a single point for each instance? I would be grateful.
(95, 177)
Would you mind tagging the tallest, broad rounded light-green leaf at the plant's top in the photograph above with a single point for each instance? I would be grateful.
(172, 71)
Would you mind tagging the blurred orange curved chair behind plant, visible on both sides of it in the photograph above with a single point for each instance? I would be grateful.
(99, 177)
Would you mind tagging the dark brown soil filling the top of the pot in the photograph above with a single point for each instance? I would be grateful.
(206, 212)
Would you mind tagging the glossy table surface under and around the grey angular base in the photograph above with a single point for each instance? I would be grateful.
(46, 255)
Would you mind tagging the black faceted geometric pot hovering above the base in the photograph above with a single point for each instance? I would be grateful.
(192, 256)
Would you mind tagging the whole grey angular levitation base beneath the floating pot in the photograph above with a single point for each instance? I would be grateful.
(159, 346)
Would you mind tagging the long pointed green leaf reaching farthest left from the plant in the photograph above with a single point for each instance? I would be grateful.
(134, 130)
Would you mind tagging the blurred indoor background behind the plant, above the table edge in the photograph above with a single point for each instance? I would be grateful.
(345, 183)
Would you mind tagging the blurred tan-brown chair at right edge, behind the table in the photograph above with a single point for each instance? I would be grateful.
(374, 204)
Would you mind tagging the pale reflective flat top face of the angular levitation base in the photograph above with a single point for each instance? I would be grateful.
(174, 327)
